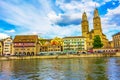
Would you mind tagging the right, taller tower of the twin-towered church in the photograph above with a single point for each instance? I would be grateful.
(97, 23)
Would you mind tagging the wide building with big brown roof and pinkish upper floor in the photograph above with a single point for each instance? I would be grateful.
(25, 45)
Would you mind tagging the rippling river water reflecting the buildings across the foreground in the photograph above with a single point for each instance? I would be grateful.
(61, 69)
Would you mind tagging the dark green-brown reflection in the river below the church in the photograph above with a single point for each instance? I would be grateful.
(96, 69)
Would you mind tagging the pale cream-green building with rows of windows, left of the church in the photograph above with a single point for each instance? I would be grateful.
(74, 43)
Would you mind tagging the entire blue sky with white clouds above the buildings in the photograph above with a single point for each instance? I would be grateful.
(51, 18)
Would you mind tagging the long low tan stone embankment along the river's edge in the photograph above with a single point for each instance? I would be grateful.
(58, 57)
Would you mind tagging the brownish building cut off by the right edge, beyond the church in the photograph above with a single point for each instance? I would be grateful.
(116, 40)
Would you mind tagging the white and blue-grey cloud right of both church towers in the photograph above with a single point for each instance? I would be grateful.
(110, 22)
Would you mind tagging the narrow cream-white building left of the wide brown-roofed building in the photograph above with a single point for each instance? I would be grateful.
(7, 46)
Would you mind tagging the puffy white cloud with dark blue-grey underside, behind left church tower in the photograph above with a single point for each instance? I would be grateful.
(73, 11)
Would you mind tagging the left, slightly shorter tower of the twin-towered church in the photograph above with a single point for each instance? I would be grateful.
(85, 25)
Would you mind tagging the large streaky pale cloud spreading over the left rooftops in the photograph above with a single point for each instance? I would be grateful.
(31, 20)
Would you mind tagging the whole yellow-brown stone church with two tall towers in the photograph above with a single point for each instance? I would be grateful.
(96, 31)
